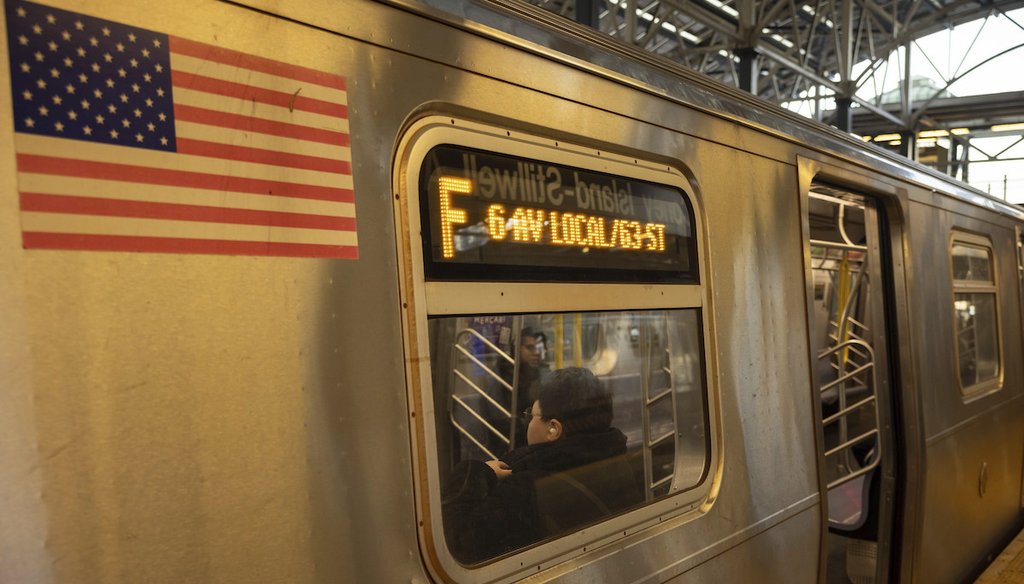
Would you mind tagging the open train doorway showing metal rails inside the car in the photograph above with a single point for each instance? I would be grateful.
(852, 381)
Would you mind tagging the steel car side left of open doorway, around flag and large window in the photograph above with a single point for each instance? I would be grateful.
(186, 418)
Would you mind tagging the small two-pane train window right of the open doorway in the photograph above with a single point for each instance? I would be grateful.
(975, 314)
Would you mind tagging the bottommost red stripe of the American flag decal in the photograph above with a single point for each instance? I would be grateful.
(38, 240)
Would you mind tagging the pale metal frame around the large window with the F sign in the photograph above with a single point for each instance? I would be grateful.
(439, 299)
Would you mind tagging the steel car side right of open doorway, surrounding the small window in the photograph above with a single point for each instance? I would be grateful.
(973, 456)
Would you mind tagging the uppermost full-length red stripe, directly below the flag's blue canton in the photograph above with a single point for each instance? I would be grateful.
(147, 176)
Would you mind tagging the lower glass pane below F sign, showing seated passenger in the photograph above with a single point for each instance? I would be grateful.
(574, 442)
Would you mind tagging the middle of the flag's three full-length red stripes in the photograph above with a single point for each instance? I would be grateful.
(149, 211)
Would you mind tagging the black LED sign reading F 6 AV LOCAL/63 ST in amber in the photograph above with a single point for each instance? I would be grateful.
(535, 220)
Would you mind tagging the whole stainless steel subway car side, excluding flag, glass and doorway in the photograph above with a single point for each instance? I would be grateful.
(179, 418)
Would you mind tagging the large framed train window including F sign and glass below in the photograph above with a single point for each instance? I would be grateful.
(557, 323)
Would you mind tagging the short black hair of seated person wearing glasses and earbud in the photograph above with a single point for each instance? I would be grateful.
(576, 398)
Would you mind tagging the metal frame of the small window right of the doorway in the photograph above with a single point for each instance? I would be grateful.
(992, 386)
